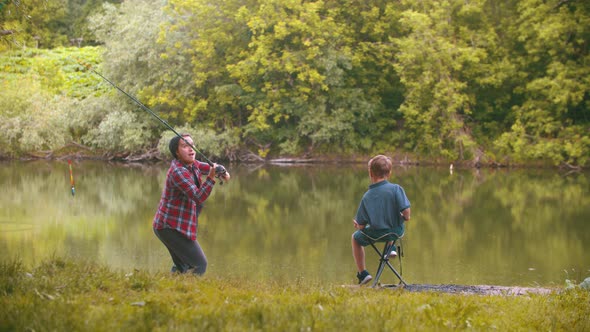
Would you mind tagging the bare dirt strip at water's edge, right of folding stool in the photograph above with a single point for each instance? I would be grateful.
(474, 289)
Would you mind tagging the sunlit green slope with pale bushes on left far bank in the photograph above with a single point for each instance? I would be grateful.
(47, 101)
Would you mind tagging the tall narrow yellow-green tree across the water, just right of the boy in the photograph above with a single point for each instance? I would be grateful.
(433, 55)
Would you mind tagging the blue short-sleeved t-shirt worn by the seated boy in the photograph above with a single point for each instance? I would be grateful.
(381, 206)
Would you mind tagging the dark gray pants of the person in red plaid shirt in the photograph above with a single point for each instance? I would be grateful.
(186, 254)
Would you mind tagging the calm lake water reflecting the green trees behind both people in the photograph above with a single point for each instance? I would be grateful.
(490, 226)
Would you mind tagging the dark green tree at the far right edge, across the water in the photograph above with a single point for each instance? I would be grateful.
(551, 49)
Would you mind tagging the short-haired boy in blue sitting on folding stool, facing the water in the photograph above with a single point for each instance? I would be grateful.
(383, 209)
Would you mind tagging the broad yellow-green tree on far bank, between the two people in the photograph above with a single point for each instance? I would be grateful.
(286, 71)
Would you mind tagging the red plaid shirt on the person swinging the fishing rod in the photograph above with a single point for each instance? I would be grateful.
(183, 197)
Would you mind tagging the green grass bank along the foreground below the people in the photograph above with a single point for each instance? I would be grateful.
(60, 295)
